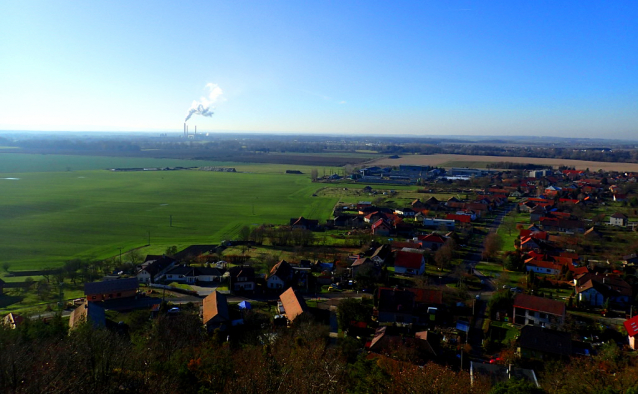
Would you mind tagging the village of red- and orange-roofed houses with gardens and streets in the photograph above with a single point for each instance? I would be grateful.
(494, 281)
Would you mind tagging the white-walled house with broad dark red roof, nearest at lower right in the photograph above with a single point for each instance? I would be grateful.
(538, 311)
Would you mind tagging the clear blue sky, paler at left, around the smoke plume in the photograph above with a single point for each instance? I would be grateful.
(560, 68)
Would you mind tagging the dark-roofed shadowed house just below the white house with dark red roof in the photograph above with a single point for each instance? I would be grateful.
(543, 343)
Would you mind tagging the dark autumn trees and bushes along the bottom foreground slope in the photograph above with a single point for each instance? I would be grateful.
(173, 354)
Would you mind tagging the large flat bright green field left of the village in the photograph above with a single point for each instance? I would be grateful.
(51, 217)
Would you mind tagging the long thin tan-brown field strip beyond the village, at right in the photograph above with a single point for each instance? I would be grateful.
(448, 160)
